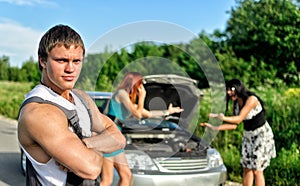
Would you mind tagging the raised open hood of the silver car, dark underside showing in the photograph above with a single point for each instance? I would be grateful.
(181, 91)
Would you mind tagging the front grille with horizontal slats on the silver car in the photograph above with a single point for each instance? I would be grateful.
(181, 165)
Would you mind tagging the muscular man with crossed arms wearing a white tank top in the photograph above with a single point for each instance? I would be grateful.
(44, 133)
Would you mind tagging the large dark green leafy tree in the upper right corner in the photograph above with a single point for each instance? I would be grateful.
(267, 30)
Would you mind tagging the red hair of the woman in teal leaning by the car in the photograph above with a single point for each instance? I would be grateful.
(130, 83)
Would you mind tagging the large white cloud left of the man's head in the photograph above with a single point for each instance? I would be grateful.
(18, 42)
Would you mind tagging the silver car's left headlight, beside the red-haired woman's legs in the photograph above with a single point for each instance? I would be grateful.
(139, 160)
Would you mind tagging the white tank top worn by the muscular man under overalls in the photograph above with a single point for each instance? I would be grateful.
(49, 173)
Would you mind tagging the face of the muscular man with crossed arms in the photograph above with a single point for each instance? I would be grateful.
(63, 67)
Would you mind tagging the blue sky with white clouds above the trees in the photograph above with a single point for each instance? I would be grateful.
(23, 22)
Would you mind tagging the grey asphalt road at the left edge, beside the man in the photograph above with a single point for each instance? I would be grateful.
(10, 171)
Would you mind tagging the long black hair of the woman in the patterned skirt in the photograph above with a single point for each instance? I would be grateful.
(241, 91)
